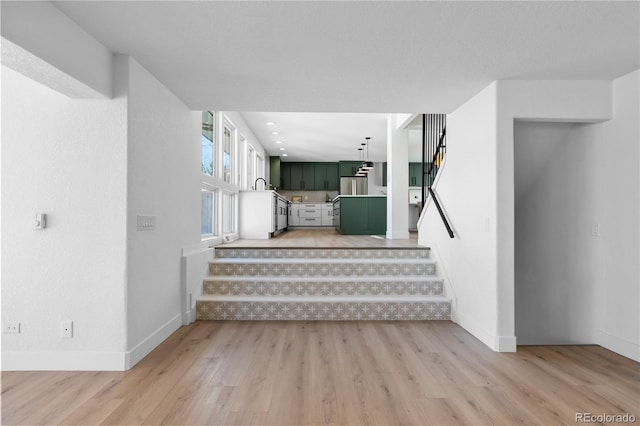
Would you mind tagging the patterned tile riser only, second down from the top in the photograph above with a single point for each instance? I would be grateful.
(322, 269)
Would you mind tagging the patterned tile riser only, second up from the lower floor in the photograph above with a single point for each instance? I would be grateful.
(302, 288)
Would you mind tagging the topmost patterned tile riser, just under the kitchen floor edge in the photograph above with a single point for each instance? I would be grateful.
(321, 253)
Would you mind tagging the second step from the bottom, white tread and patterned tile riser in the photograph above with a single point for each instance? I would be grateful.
(334, 286)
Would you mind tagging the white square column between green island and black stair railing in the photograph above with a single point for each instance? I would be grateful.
(397, 180)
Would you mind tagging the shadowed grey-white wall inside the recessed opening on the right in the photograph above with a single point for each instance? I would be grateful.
(557, 260)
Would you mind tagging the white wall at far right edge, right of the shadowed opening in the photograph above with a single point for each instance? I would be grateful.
(619, 189)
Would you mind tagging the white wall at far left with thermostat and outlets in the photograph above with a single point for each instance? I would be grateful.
(66, 158)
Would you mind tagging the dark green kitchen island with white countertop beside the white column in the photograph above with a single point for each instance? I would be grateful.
(360, 214)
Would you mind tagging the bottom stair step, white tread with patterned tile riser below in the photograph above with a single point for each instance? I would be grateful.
(323, 308)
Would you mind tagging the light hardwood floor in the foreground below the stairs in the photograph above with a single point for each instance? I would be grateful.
(341, 373)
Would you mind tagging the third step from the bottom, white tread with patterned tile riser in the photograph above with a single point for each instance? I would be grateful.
(321, 267)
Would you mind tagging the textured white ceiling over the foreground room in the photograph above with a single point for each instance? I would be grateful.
(359, 56)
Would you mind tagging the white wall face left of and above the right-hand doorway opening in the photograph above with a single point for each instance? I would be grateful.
(568, 101)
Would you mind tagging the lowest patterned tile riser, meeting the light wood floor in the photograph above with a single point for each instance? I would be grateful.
(345, 311)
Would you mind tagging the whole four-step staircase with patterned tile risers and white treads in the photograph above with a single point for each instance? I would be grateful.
(322, 284)
